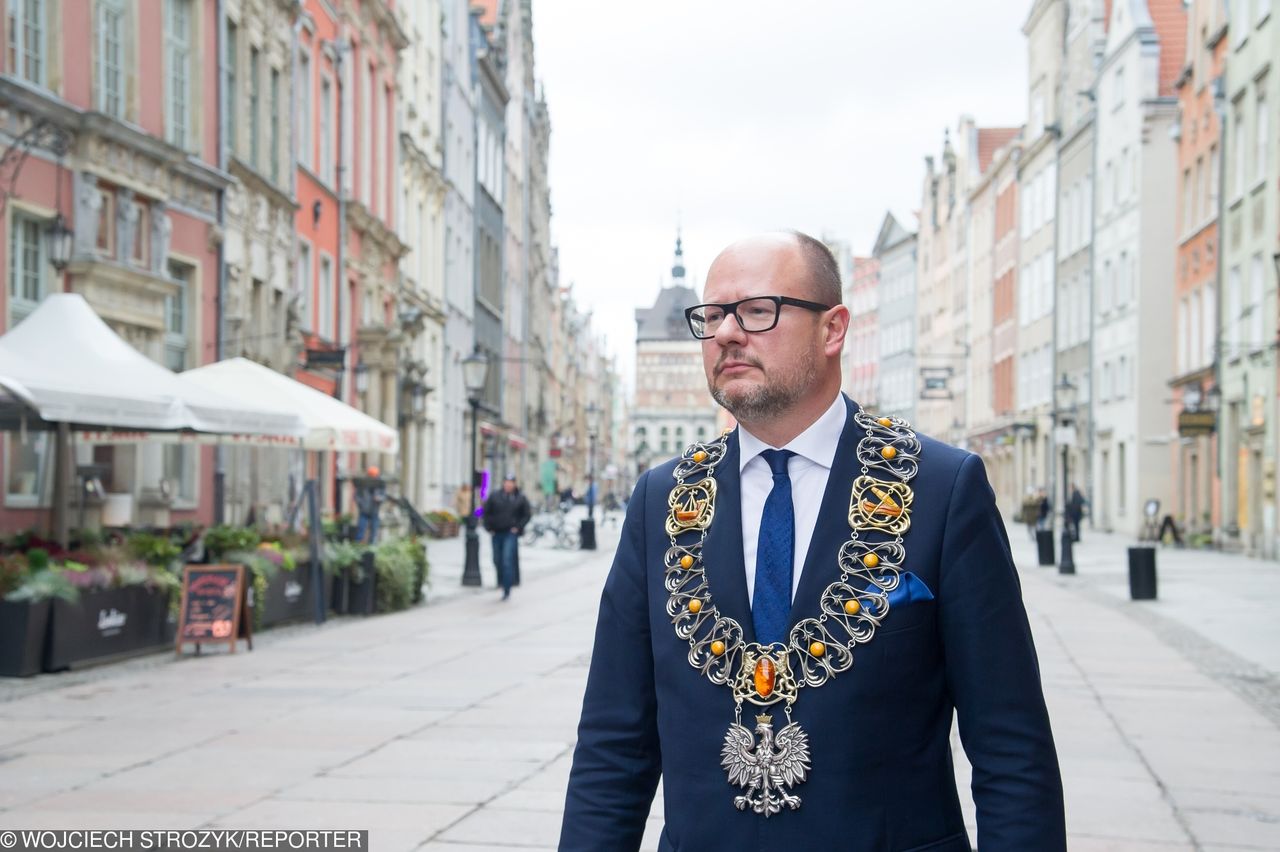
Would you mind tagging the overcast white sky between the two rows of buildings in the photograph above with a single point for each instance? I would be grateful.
(734, 117)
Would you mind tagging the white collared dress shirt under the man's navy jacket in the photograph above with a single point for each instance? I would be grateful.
(810, 470)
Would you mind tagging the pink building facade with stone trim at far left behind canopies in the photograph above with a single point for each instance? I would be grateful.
(116, 106)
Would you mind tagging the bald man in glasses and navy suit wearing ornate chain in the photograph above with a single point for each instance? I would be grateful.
(797, 611)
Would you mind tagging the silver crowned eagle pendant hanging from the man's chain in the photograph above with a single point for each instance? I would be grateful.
(766, 768)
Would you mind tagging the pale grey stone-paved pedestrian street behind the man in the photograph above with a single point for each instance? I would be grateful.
(451, 727)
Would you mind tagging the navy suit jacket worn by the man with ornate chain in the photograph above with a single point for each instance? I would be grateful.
(881, 772)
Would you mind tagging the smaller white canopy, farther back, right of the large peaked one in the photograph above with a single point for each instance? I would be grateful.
(330, 424)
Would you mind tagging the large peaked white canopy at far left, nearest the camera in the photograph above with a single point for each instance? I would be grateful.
(67, 367)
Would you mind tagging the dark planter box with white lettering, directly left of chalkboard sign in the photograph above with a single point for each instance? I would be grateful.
(109, 624)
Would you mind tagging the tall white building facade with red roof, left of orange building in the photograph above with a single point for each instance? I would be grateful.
(1133, 267)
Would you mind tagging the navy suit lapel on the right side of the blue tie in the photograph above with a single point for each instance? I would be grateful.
(833, 529)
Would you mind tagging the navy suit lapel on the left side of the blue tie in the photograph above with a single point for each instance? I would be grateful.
(723, 552)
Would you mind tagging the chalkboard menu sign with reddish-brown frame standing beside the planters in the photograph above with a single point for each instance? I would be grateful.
(214, 607)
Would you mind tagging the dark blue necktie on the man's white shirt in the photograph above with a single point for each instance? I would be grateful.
(771, 603)
